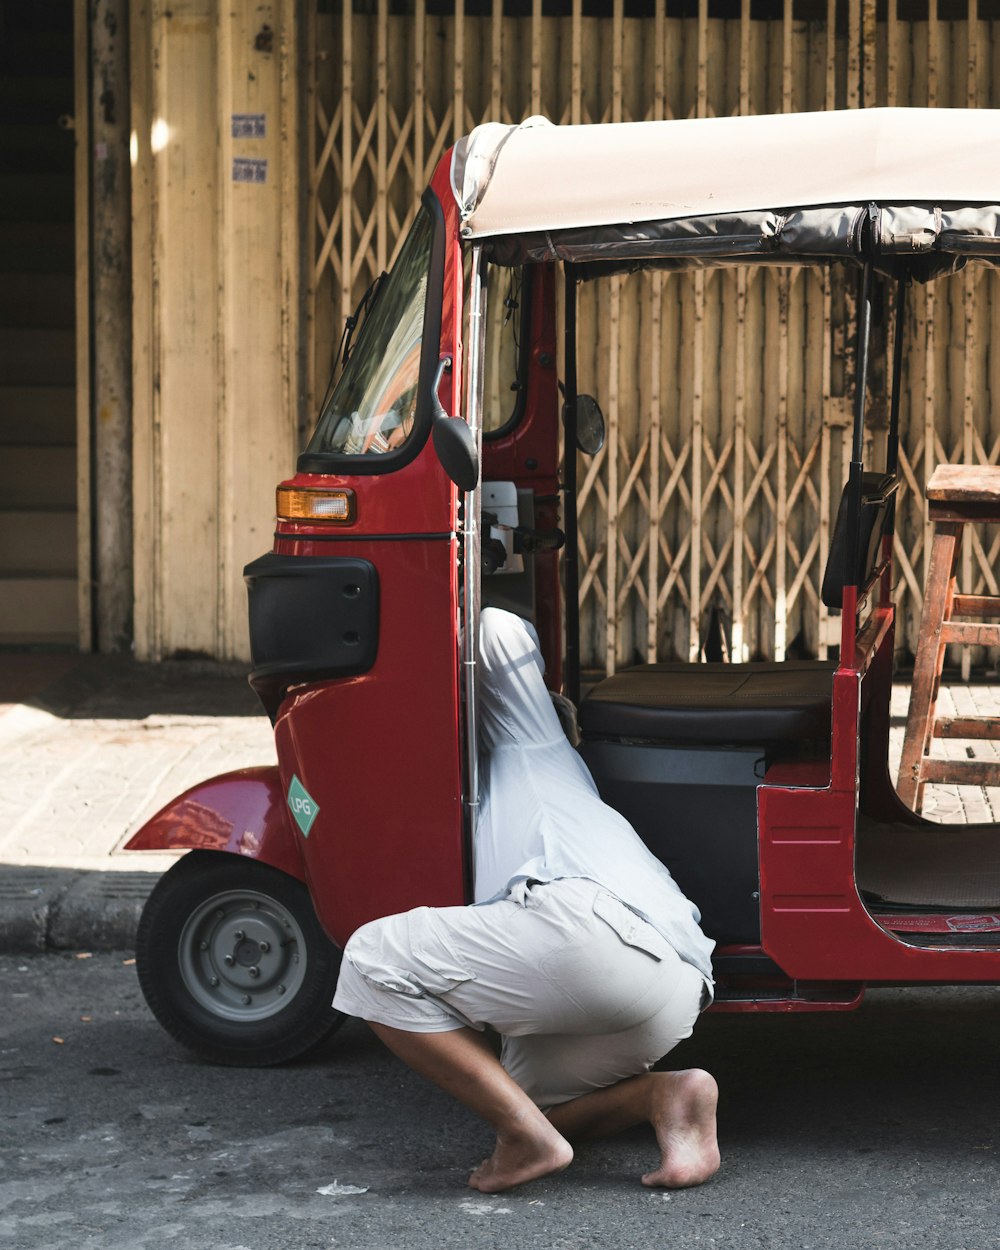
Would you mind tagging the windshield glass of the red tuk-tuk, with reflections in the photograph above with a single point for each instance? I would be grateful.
(373, 408)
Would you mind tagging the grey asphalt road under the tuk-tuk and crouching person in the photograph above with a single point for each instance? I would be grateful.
(873, 1129)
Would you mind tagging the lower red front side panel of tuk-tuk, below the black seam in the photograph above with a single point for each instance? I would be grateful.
(379, 753)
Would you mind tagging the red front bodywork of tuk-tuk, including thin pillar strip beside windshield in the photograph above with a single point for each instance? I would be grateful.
(381, 753)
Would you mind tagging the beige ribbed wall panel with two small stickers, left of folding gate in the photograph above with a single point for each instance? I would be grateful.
(216, 312)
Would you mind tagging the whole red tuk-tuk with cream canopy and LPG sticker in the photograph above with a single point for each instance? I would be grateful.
(766, 787)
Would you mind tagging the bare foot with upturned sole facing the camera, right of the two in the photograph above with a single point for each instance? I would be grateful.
(683, 1113)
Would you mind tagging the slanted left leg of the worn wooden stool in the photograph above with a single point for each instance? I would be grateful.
(938, 597)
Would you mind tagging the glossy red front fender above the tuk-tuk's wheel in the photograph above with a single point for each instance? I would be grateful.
(243, 813)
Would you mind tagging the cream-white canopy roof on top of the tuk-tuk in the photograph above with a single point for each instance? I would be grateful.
(538, 177)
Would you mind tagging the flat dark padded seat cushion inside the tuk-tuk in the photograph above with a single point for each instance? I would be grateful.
(713, 703)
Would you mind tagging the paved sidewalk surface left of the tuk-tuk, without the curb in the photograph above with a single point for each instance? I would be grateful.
(78, 781)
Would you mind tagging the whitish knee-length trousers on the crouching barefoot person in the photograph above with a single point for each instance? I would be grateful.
(583, 991)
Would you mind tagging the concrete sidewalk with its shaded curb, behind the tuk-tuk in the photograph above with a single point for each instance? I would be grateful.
(92, 747)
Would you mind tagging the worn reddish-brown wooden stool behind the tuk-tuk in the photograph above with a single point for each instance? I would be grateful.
(958, 496)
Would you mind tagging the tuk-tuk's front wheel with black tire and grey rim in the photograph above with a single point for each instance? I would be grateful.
(233, 962)
